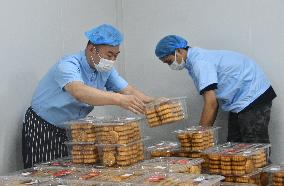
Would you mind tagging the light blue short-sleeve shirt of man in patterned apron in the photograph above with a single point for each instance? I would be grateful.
(55, 105)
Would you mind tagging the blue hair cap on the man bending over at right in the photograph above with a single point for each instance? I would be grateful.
(169, 44)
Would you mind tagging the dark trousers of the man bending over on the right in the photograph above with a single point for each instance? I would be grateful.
(250, 126)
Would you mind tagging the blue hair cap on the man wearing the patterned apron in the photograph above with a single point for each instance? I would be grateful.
(104, 35)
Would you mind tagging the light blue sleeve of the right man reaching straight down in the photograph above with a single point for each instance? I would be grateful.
(205, 74)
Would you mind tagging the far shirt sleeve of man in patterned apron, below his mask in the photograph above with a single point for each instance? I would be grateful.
(115, 82)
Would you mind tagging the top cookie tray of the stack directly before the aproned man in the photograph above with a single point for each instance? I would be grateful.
(105, 130)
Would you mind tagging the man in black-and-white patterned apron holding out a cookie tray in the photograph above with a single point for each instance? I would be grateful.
(71, 89)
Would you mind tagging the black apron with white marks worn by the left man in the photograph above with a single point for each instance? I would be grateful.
(41, 141)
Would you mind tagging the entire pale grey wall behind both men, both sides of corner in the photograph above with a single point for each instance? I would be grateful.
(35, 34)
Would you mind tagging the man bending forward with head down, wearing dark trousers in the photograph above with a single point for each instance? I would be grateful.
(233, 79)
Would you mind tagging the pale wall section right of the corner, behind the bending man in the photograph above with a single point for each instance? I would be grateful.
(253, 27)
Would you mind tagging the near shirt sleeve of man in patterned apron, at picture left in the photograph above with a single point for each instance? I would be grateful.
(67, 71)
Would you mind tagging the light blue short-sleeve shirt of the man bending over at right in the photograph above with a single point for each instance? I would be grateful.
(239, 79)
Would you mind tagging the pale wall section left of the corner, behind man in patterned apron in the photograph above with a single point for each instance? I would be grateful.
(34, 35)
